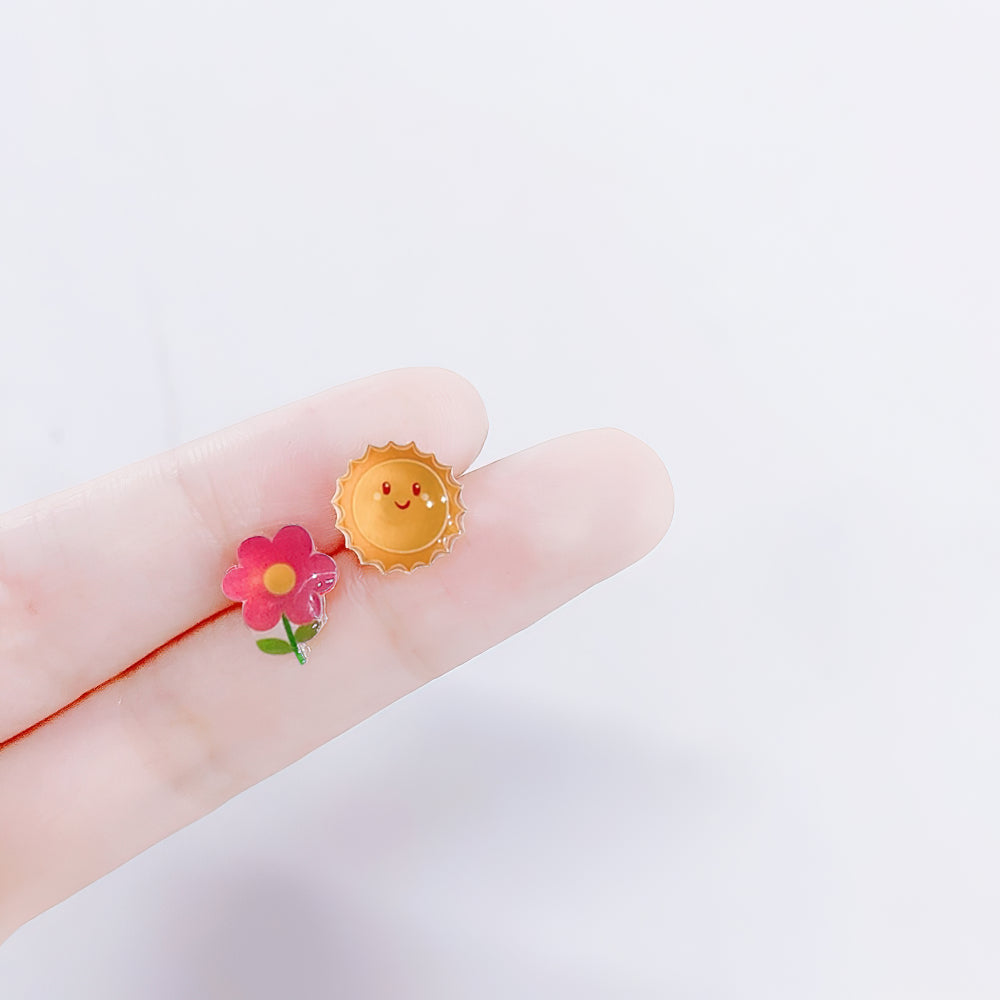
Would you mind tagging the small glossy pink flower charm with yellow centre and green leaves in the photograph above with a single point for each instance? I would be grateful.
(282, 580)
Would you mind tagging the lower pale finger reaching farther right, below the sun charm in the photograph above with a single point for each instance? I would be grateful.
(209, 715)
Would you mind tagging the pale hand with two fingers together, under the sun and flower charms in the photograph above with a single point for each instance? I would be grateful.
(111, 738)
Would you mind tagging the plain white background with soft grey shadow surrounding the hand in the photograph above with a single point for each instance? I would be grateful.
(763, 237)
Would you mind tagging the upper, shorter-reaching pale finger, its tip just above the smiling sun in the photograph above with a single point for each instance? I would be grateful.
(96, 578)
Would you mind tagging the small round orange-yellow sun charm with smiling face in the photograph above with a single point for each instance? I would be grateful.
(398, 507)
